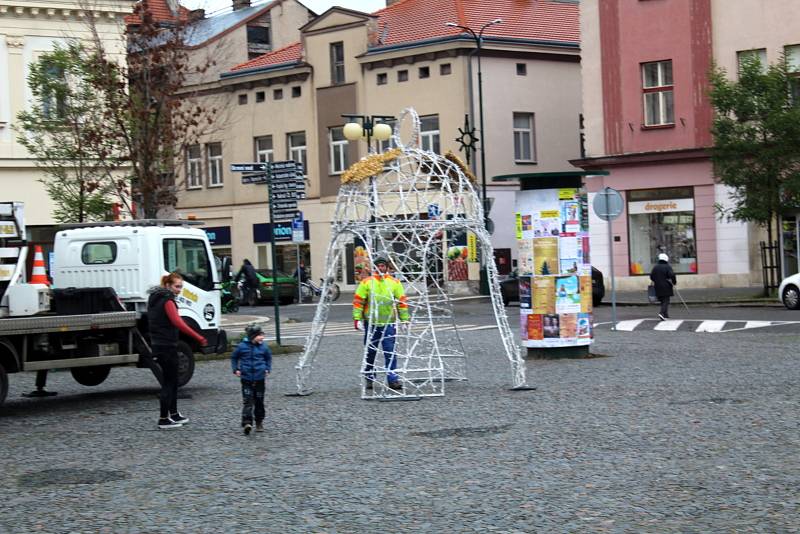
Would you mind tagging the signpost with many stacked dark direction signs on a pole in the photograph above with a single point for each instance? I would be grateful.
(286, 185)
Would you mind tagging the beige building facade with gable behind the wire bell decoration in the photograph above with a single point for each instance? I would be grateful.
(289, 105)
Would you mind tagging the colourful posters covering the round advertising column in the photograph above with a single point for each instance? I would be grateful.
(555, 273)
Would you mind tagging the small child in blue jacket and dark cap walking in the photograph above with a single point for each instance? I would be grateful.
(252, 362)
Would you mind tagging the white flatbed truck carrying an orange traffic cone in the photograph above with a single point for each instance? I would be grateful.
(94, 316)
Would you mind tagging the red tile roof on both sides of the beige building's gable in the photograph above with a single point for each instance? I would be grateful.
(408, 21)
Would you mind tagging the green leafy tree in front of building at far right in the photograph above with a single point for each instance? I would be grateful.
(756, 151)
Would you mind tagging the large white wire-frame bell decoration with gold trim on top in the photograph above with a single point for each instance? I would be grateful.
(385, 206)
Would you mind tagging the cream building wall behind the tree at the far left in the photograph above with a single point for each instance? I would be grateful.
(26, 32)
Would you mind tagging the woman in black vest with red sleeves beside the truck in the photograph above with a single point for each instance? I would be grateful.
(166, 326)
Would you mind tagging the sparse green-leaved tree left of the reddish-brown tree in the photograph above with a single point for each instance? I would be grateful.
(64, 131)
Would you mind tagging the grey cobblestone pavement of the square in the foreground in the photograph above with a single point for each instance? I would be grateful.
(667, 433)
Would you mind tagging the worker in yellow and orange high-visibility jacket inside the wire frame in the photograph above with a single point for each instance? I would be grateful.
(379, 302)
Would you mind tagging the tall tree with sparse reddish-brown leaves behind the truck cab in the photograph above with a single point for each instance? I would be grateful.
(150, 105)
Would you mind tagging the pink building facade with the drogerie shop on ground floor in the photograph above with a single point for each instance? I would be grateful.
(647, 121)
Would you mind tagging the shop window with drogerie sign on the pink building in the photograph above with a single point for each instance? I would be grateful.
(662, 221)
